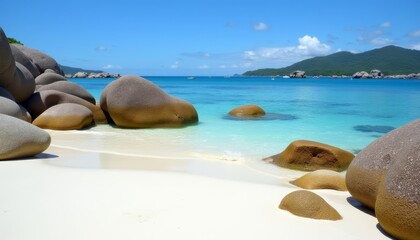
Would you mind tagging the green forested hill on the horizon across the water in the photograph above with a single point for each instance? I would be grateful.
(390, 60)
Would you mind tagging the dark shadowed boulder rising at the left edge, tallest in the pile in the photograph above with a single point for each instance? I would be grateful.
(12, 78)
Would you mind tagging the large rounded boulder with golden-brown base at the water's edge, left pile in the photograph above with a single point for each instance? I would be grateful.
(134, 102)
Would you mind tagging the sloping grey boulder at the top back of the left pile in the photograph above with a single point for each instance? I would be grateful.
(41, 60)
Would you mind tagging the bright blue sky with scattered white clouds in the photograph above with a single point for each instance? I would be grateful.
(208, 37)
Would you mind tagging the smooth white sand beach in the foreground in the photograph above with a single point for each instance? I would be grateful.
(108, 185)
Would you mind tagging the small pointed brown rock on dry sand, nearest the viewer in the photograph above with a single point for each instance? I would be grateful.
(310, 205)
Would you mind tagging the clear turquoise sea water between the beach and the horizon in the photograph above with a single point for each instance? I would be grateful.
(324, 110)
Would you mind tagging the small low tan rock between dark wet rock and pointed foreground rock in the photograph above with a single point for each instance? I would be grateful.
(321, 179)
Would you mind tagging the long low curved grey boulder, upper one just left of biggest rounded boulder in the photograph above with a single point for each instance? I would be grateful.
(70, 88)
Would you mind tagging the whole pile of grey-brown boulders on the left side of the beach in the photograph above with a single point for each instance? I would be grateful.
(35, 95)
